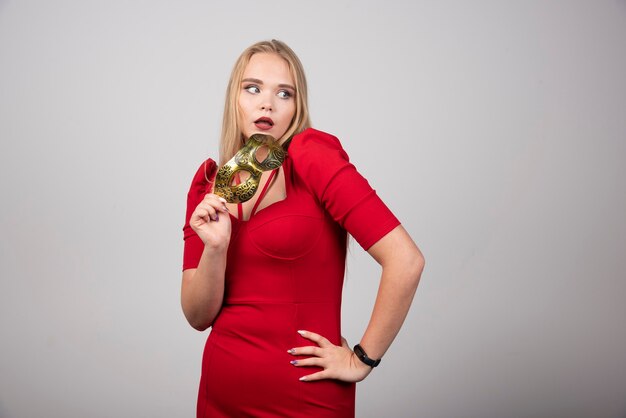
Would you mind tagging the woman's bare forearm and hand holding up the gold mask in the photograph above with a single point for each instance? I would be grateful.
(202, 289)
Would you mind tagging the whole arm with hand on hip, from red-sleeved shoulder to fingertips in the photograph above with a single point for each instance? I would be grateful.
(353, 204)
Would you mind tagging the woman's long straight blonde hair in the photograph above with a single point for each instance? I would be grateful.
(232, 135)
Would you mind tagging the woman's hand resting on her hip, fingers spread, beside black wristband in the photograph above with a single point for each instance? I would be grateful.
(337, 362)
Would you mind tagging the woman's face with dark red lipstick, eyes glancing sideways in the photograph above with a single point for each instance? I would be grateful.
(267, 97)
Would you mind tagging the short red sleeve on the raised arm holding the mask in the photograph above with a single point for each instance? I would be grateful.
(201, 184)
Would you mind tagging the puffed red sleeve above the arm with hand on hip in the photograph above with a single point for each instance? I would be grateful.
(324, 166)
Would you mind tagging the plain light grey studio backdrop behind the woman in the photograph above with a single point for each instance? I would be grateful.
(494, 129)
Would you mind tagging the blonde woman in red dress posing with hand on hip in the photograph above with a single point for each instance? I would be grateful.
(267, 274)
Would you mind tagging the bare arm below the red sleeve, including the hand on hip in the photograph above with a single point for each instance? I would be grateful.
(402, 264)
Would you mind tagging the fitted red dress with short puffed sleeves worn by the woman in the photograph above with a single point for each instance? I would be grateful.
(284, 273)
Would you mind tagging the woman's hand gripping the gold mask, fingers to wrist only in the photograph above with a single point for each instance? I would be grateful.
(211, 221)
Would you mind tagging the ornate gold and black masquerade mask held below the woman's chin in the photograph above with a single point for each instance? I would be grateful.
(246, 160)
